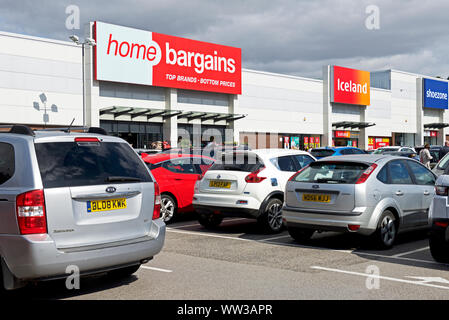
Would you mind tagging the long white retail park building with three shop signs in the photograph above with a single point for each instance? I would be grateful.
(145, 86)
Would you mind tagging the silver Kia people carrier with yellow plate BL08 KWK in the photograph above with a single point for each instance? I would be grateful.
(74, 199)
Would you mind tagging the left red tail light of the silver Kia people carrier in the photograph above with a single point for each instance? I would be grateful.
(30, 209)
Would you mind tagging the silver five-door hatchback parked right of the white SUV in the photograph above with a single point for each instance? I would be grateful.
(373, 195)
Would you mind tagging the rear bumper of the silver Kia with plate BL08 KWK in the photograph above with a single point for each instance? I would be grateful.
(35, 257)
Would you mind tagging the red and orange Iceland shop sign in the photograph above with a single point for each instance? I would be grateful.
(350, 86)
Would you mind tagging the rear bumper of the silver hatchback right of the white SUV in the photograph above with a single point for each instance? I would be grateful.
(329, 221)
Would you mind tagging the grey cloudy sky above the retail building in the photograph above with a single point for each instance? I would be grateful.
(293, 37)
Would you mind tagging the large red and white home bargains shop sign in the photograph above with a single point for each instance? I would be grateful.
(136, 56)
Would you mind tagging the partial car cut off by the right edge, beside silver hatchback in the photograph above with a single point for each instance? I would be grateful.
(439, 221)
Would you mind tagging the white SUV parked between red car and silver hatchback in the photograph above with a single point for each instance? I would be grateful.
(248, 184)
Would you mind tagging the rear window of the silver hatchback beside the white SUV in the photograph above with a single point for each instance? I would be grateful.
(332, 172)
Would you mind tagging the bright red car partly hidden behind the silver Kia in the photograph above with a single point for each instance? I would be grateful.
(176, 175)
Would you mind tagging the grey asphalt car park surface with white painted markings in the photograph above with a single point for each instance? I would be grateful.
(239, 261)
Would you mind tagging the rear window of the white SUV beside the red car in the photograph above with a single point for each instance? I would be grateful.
(246, 162)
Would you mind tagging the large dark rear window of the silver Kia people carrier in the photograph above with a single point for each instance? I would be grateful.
(71, 164)
